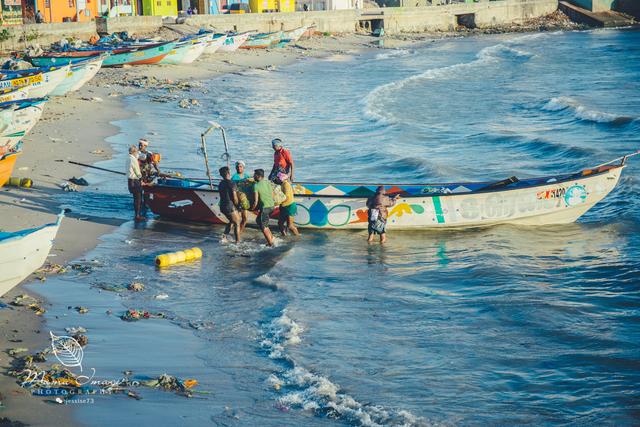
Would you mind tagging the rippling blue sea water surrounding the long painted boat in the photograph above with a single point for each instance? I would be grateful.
(499, 326)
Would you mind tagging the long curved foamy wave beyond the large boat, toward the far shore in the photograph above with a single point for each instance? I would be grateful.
(374, 108)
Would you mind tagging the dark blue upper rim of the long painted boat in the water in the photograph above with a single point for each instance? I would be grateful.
(573, 177)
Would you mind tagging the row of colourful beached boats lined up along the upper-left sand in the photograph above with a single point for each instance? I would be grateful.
(64, 69)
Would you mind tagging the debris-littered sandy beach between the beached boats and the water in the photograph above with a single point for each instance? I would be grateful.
(69, 121)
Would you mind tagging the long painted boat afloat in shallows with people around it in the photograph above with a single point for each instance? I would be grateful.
(557, 199)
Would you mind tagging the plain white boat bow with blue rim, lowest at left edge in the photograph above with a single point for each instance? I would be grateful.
(23, 252)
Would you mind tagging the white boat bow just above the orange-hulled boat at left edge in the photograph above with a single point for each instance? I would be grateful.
(17, 118)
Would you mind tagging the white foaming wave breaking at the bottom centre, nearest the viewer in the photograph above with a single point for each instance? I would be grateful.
(302, 389)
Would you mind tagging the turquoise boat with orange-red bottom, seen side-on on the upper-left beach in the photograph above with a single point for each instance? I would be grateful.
(151, 53)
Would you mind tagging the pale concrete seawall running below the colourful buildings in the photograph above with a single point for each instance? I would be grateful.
(393, 19)
